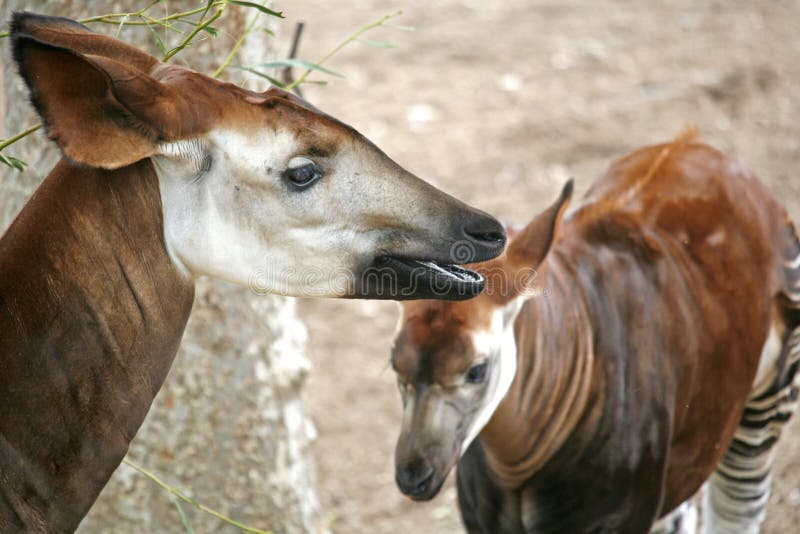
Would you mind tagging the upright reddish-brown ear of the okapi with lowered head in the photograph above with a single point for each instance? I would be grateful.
(530, 246)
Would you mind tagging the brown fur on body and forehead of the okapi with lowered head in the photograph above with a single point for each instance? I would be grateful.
(635, 363)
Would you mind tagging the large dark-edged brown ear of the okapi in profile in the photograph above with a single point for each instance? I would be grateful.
(102, 111)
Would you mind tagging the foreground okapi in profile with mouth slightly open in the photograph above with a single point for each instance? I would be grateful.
(168, 175)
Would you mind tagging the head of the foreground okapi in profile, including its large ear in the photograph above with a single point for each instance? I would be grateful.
(256, 188)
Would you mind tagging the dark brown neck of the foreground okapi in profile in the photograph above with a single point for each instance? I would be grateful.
(92, 311)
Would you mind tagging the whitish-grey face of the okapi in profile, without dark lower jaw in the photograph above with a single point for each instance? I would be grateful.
(266, 211)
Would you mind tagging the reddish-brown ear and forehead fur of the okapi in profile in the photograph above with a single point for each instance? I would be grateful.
(109, 105)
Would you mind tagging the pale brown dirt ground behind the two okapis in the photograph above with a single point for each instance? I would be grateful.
(499, 103)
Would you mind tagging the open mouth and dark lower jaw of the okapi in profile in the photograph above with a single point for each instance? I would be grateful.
(397, 278)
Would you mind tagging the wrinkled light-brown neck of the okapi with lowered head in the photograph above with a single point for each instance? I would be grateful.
(549, 397)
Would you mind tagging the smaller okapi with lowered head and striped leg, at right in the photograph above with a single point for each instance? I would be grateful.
(618, 359)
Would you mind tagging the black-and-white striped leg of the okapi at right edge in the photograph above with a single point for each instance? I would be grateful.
(735, 498)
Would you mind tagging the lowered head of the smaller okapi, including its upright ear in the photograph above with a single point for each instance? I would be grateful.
(455, 361)
